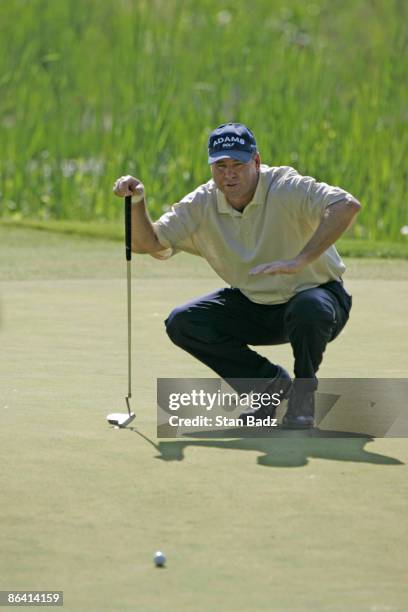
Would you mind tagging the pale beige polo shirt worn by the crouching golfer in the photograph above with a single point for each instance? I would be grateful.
(280, 219)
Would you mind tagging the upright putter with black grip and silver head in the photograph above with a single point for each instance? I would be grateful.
(121, 419)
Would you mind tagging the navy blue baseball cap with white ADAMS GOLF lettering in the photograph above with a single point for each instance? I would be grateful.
(231, 140)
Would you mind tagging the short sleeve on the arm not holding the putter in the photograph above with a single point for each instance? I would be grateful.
(309, 196)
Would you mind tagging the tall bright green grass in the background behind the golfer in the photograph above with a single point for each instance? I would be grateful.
(93, 89)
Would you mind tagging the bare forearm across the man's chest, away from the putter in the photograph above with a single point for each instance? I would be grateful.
(336, 220)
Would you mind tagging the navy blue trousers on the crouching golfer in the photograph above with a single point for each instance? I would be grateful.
(217, 328)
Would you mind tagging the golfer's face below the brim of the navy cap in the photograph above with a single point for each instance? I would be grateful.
(235, 179)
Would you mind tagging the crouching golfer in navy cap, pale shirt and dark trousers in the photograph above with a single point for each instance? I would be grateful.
(268, 232)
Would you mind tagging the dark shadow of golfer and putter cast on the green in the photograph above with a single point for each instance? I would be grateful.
(282, 449)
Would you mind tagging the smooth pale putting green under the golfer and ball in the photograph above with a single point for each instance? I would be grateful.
(247, 524)
